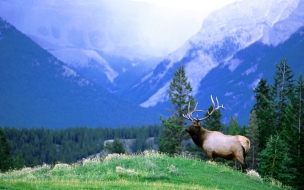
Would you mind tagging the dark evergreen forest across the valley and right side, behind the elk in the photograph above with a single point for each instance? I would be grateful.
(275, 129)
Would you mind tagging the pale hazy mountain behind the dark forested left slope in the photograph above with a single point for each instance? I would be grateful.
(84, 39)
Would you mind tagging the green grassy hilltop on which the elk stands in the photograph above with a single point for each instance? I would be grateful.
(147, 170)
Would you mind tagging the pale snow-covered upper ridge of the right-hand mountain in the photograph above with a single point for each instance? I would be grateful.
(228, 30)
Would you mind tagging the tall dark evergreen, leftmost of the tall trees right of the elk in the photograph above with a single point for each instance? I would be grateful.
(265, 112)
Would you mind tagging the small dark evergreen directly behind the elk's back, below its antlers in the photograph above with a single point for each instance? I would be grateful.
(213, 122)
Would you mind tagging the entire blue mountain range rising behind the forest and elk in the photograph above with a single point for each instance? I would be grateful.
(236, 47)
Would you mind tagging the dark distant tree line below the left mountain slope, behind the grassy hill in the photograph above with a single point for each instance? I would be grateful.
(31, 147)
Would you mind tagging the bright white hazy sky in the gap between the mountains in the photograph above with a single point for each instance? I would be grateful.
(179, 20)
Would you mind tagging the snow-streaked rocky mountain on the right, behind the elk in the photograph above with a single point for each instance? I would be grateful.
(235, 48)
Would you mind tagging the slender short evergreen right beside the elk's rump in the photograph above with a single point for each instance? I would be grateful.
(253, 134)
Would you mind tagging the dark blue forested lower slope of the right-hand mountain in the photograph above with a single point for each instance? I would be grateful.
(233, 81)
